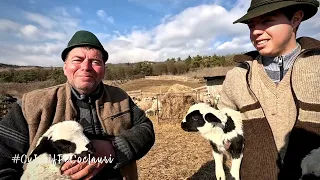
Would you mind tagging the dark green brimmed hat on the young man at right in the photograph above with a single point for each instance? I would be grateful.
(260, 7)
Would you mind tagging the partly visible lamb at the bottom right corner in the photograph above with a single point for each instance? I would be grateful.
(310, 165)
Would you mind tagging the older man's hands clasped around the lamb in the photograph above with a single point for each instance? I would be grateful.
(78, 170)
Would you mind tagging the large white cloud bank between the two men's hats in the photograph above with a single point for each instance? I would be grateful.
(191, 32)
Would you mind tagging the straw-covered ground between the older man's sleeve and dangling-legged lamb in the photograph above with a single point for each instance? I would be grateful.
(176, 155)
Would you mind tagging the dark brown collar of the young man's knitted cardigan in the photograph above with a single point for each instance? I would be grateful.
(306, 43)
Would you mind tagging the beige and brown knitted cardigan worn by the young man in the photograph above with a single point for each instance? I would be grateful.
(283, 118)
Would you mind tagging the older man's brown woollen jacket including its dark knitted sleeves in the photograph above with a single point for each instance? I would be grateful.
(120, 118)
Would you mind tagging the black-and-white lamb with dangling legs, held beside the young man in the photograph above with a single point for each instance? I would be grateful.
(223, 129)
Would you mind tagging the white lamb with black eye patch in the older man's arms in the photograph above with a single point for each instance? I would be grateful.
(63, 141)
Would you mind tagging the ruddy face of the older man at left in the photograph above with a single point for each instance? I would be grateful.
(84, 69)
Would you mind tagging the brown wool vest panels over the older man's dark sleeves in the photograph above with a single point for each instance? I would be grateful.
(45, 107)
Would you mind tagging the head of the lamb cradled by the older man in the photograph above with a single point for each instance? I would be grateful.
(65, 139)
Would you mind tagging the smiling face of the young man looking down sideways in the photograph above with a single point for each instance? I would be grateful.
(272, 34)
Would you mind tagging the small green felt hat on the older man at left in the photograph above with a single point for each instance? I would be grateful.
(84, 38)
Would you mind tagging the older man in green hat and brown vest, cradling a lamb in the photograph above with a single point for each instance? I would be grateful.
(102, 110)
